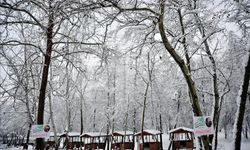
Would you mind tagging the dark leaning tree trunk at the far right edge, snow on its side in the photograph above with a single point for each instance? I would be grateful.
(241, 108)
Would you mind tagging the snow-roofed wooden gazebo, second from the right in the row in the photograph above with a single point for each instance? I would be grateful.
(152, 140)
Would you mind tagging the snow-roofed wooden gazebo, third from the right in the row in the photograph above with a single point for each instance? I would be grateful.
(122, 140)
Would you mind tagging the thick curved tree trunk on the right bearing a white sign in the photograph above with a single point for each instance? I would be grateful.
(184, 68)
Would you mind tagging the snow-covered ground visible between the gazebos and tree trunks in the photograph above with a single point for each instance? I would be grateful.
(224, 144)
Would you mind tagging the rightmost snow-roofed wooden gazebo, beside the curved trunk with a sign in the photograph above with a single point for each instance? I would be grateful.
(181, 138)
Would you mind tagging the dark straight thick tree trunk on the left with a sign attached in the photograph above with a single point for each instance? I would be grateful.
(41, 102)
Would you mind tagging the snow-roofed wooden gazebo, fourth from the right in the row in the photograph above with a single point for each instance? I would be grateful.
(94, 140)
